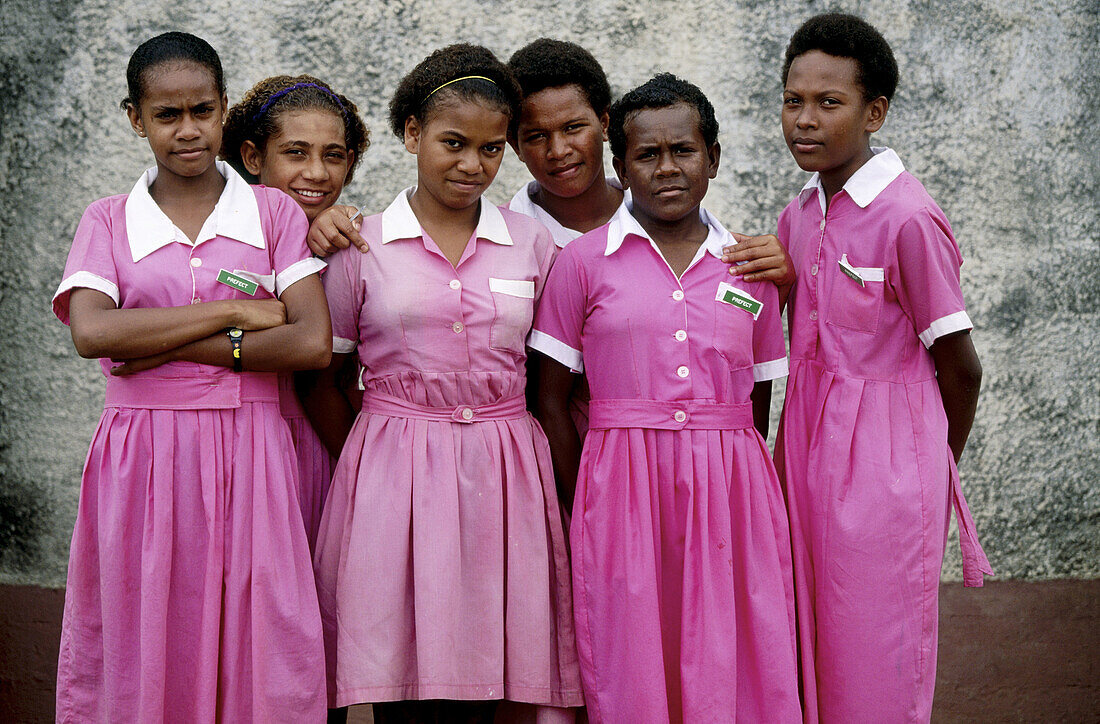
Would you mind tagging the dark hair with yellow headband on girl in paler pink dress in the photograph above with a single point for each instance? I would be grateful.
(445, 75)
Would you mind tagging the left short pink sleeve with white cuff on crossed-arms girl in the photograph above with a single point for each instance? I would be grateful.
(91, 262)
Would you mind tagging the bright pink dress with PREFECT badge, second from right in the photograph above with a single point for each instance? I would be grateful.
(681, 555)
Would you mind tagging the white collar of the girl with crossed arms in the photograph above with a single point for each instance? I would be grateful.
(235, 216)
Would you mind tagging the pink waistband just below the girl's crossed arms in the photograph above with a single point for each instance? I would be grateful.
(224, 391)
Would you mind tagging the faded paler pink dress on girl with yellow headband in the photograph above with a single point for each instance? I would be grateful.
(442, 563)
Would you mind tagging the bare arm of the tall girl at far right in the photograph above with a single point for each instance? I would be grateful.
(959, 375)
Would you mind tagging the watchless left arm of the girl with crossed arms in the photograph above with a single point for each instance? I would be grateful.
(103, 331)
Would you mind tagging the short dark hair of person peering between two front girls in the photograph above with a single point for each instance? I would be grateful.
(547, 63)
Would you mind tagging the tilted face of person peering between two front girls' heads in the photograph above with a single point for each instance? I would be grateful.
(560, 139)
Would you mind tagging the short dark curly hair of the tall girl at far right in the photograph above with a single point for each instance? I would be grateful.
(849, 37)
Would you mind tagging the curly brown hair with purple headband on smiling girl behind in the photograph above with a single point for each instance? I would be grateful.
(257, 117)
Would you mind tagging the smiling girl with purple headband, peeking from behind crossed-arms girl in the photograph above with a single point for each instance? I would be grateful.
(299, 136)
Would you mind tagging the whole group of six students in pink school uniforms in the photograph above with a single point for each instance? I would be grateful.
(318, 484)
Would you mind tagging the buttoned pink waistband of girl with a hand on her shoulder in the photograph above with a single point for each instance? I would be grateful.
(669, 415)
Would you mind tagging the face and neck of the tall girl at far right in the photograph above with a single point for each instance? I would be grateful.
(828, 123)
